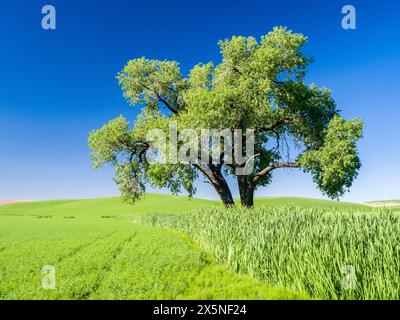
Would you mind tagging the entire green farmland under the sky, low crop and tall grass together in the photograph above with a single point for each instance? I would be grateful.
(169, 247)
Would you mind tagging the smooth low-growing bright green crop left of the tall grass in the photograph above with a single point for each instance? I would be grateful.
(99, 254)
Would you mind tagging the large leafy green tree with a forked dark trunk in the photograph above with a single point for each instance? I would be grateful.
(258, 85)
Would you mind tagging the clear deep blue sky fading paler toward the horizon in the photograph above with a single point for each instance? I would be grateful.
(56, 86)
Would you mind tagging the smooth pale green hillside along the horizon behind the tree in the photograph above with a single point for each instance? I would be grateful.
(151, 203)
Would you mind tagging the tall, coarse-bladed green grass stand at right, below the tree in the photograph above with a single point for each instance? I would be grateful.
(300, 248)
